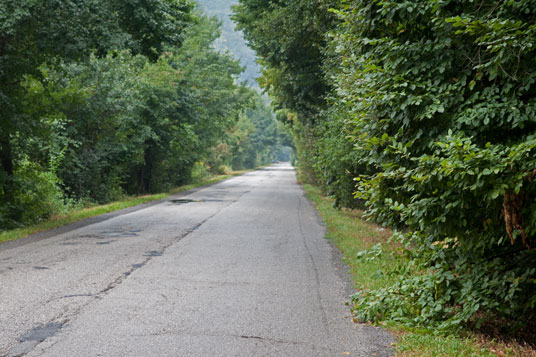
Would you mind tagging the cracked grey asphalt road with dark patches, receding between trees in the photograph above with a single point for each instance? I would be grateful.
(240, 268)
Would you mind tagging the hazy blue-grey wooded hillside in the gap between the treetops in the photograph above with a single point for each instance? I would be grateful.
(231, 39)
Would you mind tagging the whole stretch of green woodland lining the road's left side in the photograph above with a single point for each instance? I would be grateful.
(102, 99)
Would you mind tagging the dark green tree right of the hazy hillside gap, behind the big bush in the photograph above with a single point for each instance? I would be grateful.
(289, 39)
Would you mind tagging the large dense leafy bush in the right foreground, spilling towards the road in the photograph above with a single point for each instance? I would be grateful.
(442, 96)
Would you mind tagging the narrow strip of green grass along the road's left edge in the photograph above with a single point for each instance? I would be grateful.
(94, 211)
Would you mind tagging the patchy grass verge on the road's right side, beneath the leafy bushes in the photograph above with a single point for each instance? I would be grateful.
(351, 234)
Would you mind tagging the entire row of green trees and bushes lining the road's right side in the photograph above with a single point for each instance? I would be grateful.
(423, 113)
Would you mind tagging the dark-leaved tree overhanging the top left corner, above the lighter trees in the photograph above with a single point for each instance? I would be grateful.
(36, 33)
